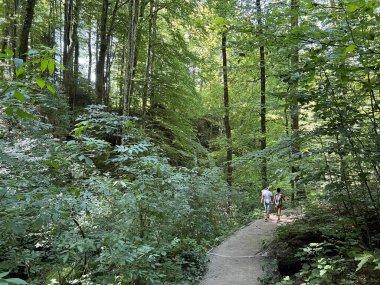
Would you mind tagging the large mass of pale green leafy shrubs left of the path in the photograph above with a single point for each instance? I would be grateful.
(89, 210)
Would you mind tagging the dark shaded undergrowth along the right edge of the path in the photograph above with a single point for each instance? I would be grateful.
(324, 248)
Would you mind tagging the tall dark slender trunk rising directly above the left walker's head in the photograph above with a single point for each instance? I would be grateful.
(263, 140)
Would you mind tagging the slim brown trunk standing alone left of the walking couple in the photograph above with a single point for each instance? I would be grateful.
(227, 125)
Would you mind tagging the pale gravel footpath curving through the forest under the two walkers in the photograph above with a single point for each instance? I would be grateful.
(240, 259)
